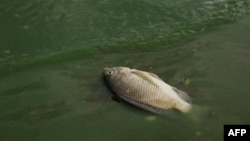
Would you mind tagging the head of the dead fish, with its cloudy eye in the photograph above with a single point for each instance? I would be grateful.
(110, 75)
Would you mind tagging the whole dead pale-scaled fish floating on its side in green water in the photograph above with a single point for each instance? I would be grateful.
(145, 90)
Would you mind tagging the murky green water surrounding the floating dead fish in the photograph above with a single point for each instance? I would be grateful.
(52, 54)
